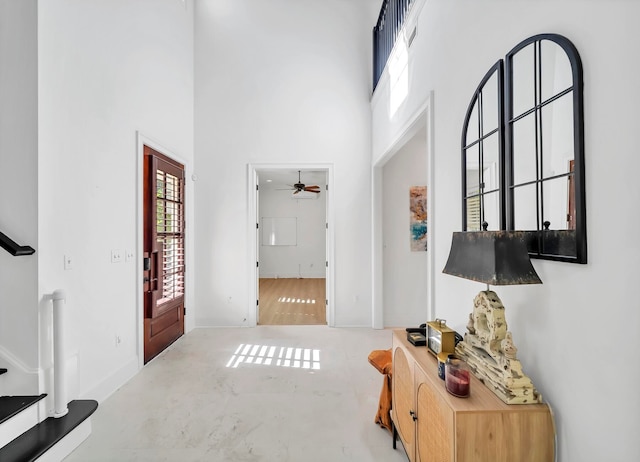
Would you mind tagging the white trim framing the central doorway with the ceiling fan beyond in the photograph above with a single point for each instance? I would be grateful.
(252, 181)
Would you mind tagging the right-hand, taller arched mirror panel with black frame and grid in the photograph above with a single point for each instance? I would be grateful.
(544, 154)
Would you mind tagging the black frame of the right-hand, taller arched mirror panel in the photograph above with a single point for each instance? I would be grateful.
(578, 146)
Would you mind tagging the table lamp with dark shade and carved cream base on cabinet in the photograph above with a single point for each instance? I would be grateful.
(493, 258)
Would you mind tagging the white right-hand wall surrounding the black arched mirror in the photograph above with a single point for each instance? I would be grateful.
(559, 327)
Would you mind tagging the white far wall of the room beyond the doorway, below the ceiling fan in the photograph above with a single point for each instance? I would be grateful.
(306, 258)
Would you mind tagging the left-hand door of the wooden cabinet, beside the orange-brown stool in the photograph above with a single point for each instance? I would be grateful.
(403, 400)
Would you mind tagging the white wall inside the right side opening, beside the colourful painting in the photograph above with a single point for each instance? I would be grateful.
(405, 290)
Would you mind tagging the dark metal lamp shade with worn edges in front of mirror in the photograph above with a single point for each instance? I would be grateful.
(496, 258)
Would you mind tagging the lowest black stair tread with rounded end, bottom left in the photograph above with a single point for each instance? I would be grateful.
(37, 440)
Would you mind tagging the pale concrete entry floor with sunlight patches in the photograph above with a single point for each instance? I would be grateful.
(270, 393)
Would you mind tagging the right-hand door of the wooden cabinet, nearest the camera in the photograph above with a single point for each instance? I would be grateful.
(435, 432)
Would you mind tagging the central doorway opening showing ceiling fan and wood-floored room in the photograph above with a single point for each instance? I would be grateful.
(292, 245)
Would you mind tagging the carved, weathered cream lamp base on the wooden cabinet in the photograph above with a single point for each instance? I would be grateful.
(490, 353)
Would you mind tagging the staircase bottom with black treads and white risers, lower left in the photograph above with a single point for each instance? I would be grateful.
(26, 434)
